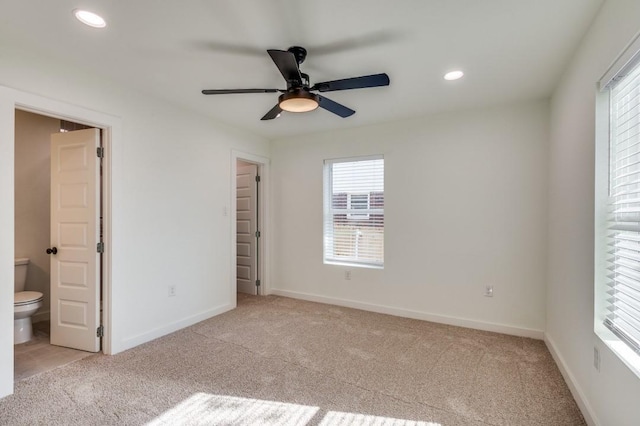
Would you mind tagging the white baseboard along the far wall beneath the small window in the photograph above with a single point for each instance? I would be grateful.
(407, 313)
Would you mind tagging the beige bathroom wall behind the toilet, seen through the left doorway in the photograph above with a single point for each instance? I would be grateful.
(32, 199)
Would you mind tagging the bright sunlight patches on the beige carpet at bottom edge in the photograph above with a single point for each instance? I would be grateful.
(205, 409)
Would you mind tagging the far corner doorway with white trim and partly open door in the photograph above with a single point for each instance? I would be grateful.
(249, 233)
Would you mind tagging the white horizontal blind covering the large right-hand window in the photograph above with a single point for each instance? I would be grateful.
(623, 239)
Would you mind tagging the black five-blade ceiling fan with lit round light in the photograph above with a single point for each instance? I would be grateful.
(298, 96)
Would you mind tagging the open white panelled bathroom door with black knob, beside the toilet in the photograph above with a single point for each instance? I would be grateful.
(75, 267)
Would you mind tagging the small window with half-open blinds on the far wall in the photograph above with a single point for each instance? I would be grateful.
(354, 211)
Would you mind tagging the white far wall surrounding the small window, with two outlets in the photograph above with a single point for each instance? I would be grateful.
(465, 207)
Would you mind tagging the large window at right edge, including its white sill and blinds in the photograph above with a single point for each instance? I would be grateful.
(617, 214)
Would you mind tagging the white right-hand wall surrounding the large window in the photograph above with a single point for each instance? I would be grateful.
(611, 396)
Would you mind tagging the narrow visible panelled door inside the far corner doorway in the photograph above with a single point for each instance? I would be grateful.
(246, 218)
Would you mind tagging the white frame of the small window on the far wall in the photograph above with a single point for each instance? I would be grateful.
(361, 214)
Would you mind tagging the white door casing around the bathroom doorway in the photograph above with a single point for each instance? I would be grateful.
(111, 130)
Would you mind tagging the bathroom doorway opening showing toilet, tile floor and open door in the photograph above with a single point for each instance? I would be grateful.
(57, 204)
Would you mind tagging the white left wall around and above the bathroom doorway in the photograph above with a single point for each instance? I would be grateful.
(171, 182)
